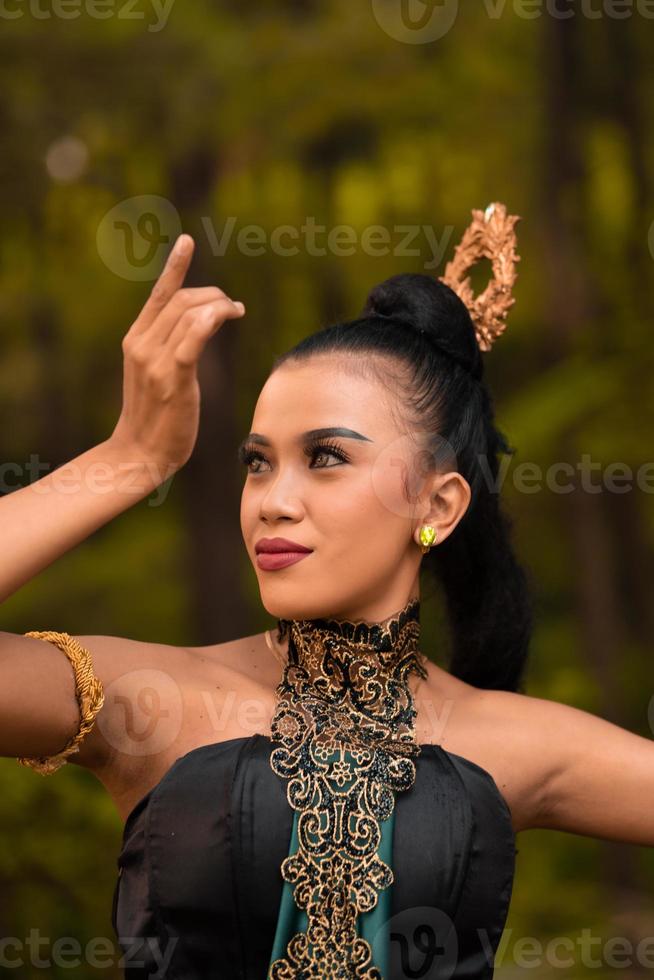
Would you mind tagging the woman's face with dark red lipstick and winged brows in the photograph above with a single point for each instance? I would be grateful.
(347, 503)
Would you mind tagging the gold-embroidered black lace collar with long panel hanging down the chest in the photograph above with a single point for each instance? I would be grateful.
(344, 690)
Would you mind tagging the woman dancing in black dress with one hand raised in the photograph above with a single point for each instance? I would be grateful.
(356, 816)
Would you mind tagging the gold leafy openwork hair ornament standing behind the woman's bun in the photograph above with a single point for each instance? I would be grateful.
(490, 235)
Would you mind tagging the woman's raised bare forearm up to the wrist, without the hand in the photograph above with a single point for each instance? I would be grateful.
(45, 519)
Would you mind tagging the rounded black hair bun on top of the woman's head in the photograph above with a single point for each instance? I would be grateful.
(428, 306)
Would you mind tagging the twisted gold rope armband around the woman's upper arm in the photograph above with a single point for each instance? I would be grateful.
(88, 691)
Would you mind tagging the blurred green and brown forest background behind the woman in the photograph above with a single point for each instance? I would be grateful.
(227, 115)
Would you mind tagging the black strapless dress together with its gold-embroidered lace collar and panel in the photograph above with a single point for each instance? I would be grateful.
(336, 847)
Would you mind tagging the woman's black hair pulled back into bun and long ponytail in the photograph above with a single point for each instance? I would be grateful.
(415, 321)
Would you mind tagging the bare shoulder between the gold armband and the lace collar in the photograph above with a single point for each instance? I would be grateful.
(161, 701)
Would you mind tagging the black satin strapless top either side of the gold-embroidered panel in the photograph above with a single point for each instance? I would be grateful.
(199, 893)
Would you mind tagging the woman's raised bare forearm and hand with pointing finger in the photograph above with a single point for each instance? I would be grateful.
(153, 437)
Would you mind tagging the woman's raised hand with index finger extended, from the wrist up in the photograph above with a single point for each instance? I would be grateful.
(161, 394)
